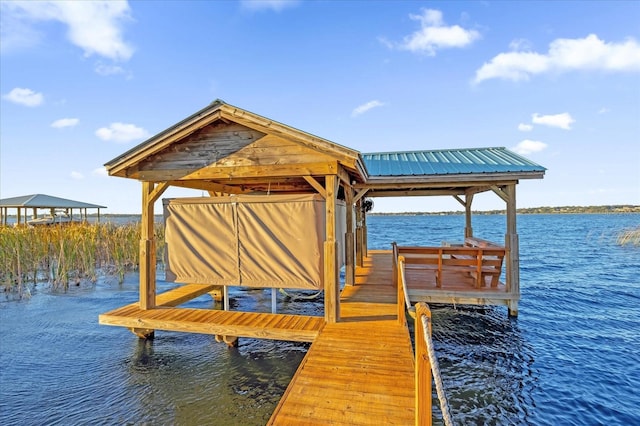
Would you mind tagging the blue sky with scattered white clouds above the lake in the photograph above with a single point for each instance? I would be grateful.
(558, 82)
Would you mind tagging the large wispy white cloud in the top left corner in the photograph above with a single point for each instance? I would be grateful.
(94, 26)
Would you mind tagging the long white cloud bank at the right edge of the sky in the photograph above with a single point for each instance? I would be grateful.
(589, 53)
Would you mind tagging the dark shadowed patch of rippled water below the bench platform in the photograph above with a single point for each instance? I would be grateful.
(486, 364)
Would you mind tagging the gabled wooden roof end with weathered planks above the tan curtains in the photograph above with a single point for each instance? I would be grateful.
(226, 148)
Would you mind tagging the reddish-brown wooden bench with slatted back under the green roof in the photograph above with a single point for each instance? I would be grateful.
(478, 262)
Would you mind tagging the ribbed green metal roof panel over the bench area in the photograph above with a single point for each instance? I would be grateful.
(448, 162)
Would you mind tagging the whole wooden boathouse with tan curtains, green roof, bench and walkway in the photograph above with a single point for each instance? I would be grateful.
(286, 209)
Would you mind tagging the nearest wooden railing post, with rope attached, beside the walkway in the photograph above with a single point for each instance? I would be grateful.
(423, 369)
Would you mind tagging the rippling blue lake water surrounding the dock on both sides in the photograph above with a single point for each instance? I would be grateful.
(572, 357)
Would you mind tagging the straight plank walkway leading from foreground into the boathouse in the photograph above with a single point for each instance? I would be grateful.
(359, 371)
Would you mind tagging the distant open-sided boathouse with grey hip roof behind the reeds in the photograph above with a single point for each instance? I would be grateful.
(38, 202)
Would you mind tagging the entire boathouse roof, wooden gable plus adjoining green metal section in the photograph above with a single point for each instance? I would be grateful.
(223, 148)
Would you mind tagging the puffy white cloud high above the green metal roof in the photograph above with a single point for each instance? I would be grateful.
(434, 35)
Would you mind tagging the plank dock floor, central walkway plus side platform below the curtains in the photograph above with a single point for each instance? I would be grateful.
(357, 371)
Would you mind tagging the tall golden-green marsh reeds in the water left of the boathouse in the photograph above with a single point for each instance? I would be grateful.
(71, 254)
